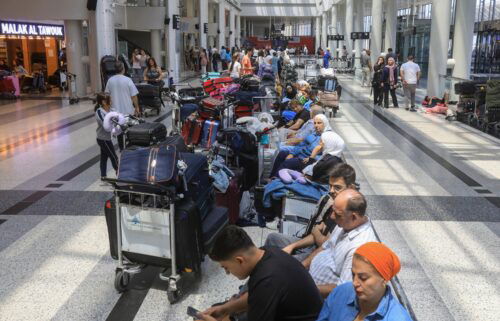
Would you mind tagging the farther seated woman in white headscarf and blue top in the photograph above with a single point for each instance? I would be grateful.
(295, 158)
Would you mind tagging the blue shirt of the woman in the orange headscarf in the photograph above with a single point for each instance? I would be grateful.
(342, 305)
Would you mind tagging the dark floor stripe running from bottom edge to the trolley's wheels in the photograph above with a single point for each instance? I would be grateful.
(130, 302)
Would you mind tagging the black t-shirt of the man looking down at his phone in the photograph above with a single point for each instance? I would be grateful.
(280, 288)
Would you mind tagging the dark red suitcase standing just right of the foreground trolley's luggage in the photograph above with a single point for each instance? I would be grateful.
(231, 199)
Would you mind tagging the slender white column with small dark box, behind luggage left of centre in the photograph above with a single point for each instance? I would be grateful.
(172, 36)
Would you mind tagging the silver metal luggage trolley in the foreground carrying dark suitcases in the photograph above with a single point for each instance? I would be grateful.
(145, 227)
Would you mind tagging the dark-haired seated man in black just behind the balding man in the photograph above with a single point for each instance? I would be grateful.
(342, 177)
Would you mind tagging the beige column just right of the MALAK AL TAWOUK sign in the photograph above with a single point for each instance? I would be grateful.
(74, 39)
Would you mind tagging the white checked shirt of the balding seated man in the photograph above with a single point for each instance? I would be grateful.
(333, 265)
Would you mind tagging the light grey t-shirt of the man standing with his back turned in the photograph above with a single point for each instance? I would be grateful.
(121, 89)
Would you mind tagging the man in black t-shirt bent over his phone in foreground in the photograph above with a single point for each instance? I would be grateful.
(279, 287)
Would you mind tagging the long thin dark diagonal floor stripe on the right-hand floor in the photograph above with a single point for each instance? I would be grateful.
(469, 181)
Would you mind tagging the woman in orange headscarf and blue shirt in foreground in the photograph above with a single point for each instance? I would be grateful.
(368, 296)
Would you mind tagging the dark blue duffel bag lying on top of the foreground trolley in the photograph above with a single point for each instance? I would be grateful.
(156, 164)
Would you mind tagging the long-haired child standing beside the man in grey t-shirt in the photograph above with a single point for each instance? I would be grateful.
(103, 137)
